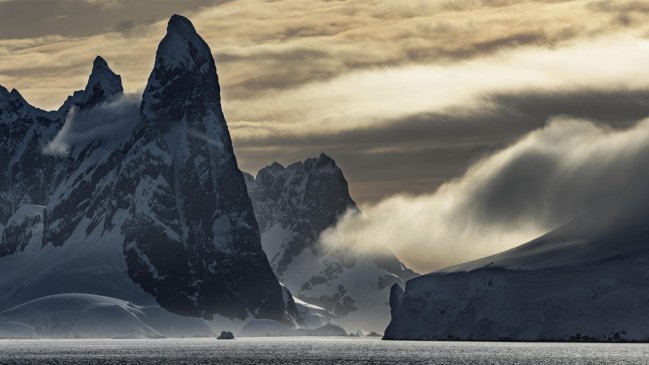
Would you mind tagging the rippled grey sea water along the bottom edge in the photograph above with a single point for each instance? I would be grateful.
(313, 351)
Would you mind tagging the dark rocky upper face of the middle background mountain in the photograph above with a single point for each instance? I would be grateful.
(306, 198)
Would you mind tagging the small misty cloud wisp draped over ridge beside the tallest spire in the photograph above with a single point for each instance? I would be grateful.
(112, 121)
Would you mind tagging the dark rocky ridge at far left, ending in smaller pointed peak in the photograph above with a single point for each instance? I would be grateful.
(30, 176)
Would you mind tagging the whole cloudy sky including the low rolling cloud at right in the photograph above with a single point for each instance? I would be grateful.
(417, 101)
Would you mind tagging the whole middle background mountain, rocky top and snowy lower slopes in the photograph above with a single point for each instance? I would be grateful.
(293, 205)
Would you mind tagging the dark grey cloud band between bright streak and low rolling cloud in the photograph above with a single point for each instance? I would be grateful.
(418, 153)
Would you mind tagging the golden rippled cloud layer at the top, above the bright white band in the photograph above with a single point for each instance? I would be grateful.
(260, 53)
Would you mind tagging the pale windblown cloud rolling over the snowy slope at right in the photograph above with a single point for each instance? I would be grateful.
(544, 180)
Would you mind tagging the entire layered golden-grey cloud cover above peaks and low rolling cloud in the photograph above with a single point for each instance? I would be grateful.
(326, 70)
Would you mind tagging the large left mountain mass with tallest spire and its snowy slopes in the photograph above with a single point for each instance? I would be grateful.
(151, 207)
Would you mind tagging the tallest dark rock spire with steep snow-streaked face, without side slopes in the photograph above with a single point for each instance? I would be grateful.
(191, 238)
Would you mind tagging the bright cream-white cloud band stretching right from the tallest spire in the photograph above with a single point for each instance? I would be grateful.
(367, 98)
